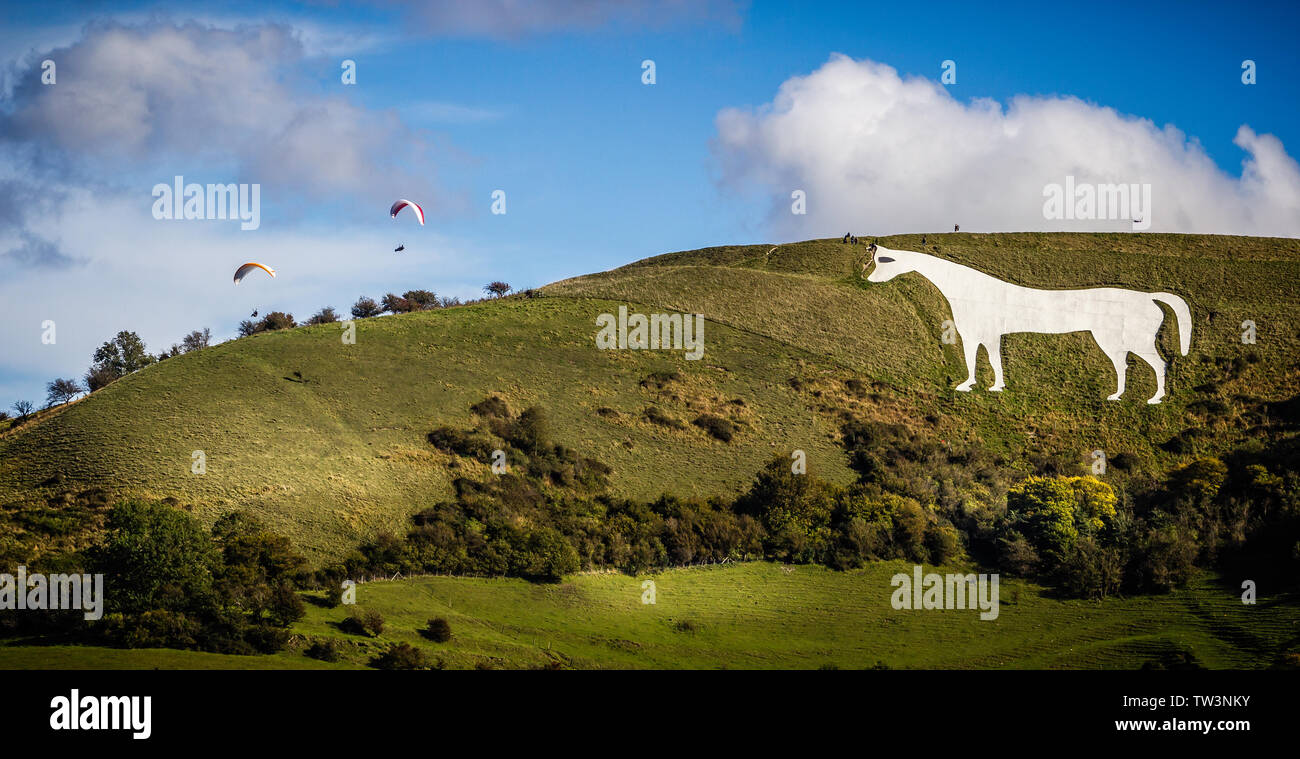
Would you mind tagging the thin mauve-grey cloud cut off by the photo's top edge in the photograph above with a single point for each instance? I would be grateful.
(512, 19)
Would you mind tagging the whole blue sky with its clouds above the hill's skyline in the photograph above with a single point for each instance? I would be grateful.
(453, 103)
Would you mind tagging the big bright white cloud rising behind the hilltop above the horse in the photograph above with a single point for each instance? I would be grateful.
(882, 154)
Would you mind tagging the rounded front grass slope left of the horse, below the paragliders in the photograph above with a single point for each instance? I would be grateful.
(344, 454)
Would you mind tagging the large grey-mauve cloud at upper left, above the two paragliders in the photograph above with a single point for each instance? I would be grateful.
(190, 93)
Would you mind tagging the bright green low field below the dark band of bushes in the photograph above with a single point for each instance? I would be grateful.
(752, 617)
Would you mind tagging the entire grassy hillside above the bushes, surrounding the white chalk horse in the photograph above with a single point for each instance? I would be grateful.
(327, 441)
